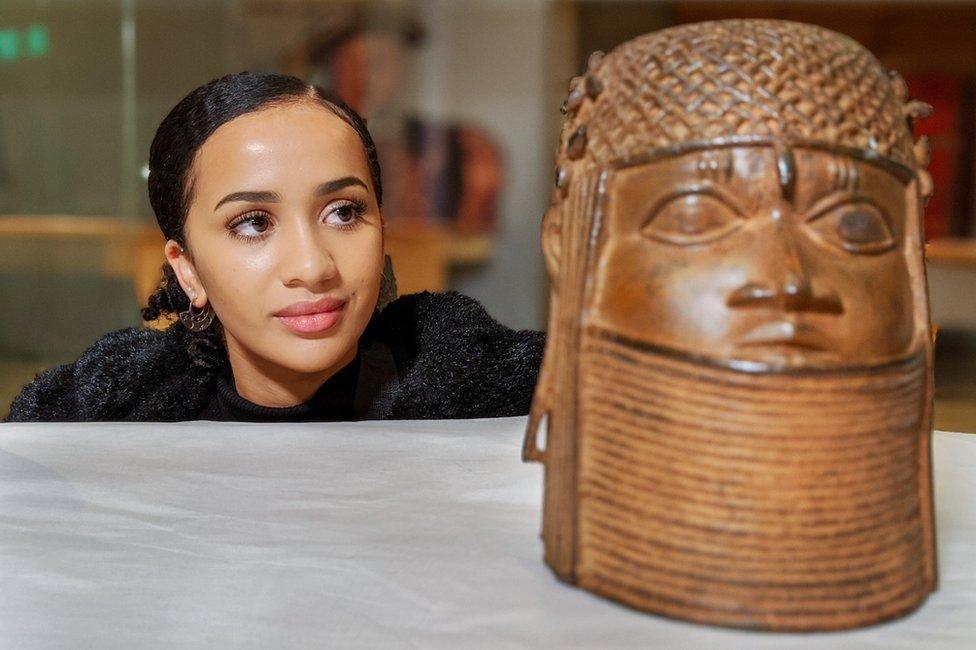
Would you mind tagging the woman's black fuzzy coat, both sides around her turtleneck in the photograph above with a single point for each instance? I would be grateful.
(448, 359)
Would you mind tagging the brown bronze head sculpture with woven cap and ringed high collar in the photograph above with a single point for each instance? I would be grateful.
(737, 383)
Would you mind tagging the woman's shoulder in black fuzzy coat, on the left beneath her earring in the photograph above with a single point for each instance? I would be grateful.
(119, 376)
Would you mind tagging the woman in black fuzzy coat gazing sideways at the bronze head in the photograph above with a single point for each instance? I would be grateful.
(269, 196)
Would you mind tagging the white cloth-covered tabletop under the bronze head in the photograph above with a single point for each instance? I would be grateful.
(377, 534)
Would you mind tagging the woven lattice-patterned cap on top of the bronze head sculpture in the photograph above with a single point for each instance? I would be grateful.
(737, 78)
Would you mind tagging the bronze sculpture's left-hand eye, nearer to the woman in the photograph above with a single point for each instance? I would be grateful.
(691, 218)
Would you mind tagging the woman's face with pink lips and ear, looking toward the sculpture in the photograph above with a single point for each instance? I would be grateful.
(283, 210)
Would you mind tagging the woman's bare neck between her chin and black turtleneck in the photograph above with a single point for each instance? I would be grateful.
(266, 384)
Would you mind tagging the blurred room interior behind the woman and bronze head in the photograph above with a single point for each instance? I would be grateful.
(462, 98)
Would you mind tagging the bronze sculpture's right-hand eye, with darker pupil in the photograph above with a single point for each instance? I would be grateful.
(857, 227)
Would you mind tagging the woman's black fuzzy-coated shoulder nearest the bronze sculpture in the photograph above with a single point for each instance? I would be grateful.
(455, 360)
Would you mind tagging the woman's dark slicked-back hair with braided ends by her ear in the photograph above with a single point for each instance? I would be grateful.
(178, 138)
